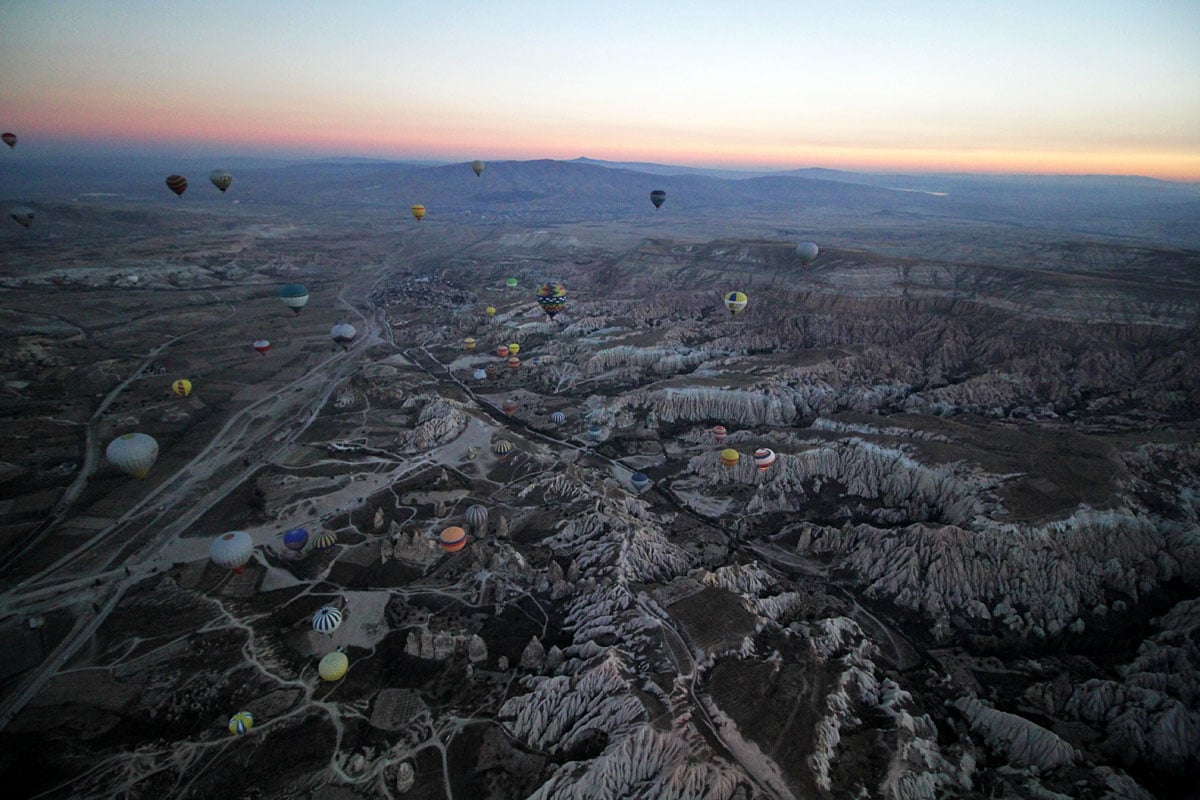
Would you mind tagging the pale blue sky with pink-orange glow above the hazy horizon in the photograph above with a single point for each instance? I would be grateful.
(1046, 87)
